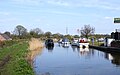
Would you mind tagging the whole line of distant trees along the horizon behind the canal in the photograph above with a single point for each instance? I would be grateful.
(20, 32)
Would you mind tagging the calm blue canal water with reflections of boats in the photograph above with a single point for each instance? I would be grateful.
(75, 61)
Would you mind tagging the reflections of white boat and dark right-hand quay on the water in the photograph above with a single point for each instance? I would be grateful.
(113, 57)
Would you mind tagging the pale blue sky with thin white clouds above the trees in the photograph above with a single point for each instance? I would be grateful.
(57, 15)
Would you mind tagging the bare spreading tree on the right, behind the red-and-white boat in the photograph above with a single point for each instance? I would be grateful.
(87, 30)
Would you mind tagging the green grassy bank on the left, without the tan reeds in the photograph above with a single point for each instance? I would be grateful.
(12, 60)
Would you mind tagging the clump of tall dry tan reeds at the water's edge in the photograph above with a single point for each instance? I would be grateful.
(35, 48)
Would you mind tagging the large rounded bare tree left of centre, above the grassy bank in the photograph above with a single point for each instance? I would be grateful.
(20, 31)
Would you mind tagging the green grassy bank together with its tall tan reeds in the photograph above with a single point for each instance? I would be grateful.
(14, 57)
